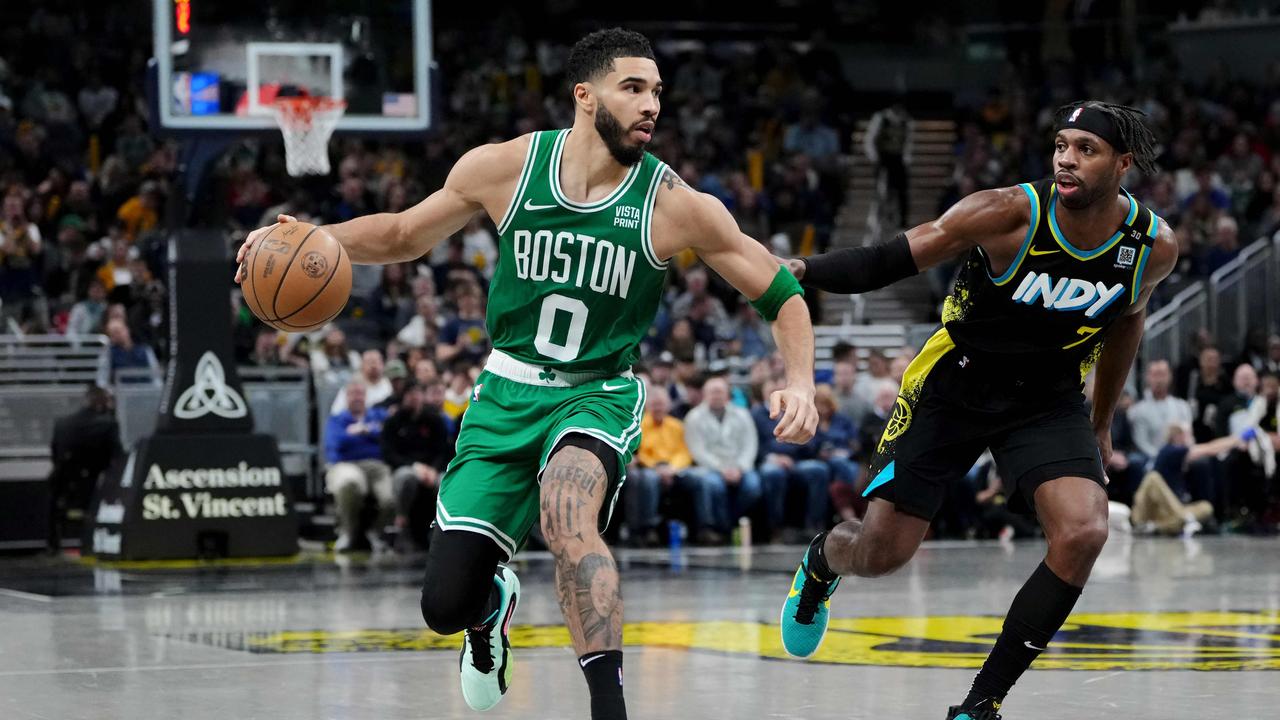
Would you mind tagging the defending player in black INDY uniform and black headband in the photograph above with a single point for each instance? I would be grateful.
(1055, 285)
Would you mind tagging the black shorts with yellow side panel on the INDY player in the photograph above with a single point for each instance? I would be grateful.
(953, 407)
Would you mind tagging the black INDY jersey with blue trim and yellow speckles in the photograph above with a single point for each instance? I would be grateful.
(1048, 316)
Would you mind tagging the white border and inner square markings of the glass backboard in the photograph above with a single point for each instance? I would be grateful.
(260, 119)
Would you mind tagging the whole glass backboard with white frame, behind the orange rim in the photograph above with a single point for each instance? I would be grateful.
(222, 63)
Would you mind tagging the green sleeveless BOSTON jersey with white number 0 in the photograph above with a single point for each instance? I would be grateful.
(578, 284)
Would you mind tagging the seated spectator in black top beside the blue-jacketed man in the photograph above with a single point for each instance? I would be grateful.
(418, 445)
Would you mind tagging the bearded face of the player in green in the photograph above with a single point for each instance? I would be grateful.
(627, 108)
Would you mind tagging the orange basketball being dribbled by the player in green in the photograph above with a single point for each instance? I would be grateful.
(298, 279)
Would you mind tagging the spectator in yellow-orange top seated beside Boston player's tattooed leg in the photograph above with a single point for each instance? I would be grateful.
(662, 459)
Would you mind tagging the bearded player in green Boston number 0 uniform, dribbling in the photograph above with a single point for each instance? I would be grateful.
(587, 222)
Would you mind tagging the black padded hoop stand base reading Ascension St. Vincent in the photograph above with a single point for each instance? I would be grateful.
(204, 485)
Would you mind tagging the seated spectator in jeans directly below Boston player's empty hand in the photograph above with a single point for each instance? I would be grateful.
(787, 470)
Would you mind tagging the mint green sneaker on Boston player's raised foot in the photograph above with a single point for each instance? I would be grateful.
(487, 660)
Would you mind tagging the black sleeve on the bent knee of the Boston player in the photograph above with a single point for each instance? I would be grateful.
(459, 589)
